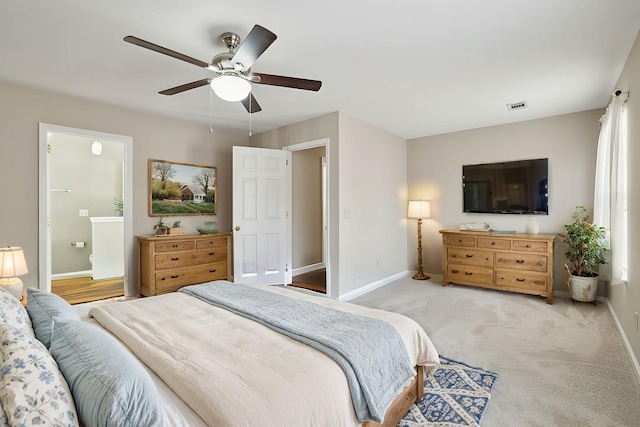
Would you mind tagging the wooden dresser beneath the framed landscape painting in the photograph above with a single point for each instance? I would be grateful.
(168, 263)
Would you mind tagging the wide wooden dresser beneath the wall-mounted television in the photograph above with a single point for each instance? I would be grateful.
(509, 262)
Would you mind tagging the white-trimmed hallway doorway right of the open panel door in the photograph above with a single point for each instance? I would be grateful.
(309, 199)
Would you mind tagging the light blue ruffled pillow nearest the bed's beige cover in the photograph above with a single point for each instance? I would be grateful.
(109, 386)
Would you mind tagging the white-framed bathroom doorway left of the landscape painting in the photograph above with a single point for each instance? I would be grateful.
(85, 177)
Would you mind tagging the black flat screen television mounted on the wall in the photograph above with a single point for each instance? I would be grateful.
(516, 187)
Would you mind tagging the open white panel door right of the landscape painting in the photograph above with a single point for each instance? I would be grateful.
(260, 216)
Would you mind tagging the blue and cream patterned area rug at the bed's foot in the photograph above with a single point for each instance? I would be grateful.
(455, 394)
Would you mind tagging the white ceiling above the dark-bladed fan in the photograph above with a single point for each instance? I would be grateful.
(411, 67)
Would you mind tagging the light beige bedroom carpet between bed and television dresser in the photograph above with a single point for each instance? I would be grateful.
(559, 365)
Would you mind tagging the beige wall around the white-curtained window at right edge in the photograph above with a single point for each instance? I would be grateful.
(625, 299)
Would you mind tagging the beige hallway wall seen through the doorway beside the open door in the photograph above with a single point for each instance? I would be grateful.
(306, 217)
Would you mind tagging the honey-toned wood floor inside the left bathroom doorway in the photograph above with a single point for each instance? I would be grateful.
(84, 289)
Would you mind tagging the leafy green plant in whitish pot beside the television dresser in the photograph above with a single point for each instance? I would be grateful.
(584, 255)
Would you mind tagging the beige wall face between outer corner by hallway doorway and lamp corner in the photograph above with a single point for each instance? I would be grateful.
(373, 200)
